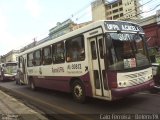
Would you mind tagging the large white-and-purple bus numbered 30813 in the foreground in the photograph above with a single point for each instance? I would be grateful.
(105, 60)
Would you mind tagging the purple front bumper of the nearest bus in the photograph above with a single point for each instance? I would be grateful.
(119, 93)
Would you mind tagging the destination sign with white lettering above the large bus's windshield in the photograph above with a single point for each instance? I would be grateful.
(122, 26)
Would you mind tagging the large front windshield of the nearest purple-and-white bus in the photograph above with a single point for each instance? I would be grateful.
(126, 51)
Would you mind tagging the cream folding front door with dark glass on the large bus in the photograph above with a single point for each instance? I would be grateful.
(98, 74)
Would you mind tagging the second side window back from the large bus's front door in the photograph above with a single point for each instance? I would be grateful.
(58, 52)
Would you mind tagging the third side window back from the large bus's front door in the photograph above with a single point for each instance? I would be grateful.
(47, 55)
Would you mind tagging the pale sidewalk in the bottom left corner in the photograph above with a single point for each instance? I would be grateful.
(12, 109)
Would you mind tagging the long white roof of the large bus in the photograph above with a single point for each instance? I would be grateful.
(72, 33)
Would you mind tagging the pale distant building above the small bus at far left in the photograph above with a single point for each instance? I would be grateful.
(10, 56)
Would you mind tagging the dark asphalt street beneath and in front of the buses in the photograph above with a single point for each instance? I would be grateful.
(55, 103)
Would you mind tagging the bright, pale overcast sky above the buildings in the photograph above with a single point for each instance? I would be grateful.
(23, 20)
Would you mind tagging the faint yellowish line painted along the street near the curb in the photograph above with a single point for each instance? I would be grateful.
(54, 106)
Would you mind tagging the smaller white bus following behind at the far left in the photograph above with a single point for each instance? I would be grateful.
(8, 71)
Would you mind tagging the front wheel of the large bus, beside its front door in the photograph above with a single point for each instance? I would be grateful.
(78, 91)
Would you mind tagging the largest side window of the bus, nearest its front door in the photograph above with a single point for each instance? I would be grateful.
(75, 49)
